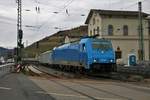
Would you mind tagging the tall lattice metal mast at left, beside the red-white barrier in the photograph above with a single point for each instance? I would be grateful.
(19, 31)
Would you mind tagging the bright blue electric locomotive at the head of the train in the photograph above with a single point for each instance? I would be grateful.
(88, 54)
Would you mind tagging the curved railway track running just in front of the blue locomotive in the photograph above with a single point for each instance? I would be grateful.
(111, 76)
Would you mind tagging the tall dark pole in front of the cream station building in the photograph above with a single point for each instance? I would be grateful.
(140, 29)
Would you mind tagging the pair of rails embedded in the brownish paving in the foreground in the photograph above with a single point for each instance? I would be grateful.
(83, 93)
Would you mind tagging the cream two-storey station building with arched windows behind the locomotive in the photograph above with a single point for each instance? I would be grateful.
(121, 27)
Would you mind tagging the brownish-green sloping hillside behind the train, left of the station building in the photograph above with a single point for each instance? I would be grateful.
(48, 43)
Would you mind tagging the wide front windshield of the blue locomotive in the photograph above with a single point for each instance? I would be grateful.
(102, 45)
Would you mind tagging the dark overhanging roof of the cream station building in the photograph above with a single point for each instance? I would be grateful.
(113, 13)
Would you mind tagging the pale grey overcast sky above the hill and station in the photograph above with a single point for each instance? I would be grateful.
(44, 22)
